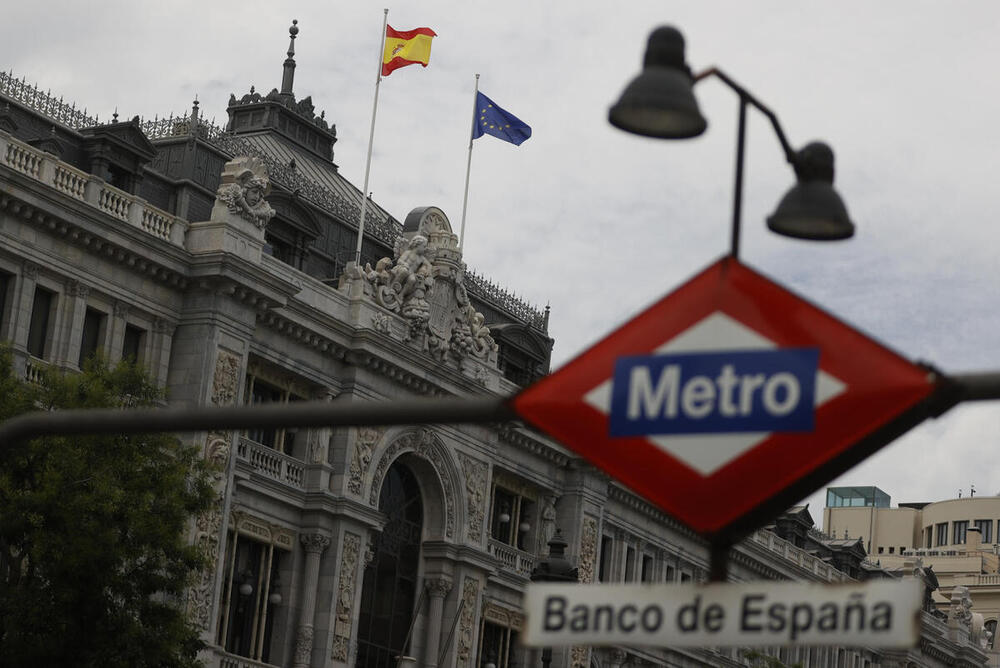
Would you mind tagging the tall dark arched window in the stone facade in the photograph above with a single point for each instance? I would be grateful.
(389, 591)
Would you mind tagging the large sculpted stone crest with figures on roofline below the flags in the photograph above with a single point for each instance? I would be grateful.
(424, 282)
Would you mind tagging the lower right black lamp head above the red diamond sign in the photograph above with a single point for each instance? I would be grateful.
(812, 209)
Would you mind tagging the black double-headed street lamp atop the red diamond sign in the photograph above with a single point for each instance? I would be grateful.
(660, 103)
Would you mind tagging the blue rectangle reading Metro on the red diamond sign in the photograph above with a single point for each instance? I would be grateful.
(716, 392)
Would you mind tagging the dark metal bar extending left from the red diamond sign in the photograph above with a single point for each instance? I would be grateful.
(297, 414)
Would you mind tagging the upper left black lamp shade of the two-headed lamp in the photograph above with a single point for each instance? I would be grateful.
(660, 101)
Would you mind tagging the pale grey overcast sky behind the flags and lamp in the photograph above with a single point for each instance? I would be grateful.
(599, 223)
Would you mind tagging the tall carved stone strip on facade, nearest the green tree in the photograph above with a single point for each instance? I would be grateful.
(208, 525)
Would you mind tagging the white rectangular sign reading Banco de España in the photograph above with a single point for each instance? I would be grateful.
(880, 613)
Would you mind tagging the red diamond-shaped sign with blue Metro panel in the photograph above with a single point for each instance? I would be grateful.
(728, 400)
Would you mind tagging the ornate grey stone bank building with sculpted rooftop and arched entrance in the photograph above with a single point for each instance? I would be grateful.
(221, 260)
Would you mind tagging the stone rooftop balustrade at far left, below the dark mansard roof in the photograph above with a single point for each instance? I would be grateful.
(79, 185)
